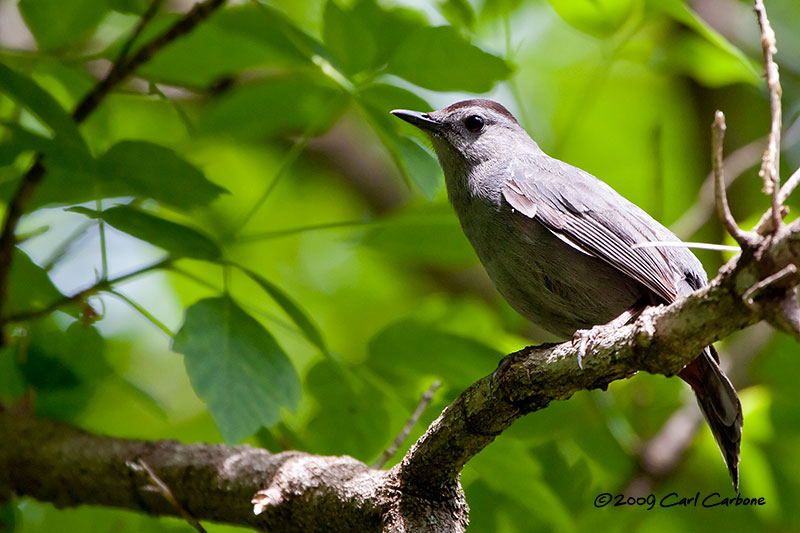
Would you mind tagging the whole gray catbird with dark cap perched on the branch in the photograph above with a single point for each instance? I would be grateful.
(557, 242)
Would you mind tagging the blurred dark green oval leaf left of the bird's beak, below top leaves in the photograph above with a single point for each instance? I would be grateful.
(277, 106)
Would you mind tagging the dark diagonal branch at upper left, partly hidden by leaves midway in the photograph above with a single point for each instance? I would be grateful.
(119, 72)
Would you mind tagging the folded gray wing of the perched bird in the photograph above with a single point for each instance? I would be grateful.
(589, 215)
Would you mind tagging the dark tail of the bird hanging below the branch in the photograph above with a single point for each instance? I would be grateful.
(720, 405)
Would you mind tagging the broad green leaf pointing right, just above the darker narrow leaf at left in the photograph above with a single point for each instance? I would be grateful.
(149, 170)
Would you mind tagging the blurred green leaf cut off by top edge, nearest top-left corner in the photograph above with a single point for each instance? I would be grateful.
(56, 23)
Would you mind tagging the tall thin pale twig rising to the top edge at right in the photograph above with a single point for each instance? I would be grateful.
(770, 166)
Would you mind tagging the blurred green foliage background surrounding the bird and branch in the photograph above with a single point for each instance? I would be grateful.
(316, 281)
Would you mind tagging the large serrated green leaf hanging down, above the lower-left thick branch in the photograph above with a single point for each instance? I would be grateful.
(236, 366)
